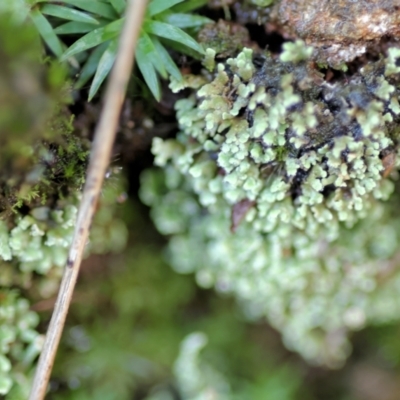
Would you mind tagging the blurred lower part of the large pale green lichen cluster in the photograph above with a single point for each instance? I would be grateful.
(292, 280)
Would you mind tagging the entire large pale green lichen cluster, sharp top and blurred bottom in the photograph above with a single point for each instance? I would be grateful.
(272, 186)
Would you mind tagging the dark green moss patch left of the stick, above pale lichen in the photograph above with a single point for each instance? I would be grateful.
(41, 160)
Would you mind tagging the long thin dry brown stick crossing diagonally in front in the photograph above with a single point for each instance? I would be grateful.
(99, 159)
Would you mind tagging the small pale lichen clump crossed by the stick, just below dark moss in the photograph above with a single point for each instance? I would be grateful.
(39, 242)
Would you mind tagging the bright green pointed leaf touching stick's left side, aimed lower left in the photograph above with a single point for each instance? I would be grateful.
(94, 38)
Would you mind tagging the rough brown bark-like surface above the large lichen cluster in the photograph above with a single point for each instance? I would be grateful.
(340, 30)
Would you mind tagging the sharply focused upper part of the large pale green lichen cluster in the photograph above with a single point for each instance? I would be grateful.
(322, 157)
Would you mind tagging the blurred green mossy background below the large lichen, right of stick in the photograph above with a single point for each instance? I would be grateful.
(134, 333)
